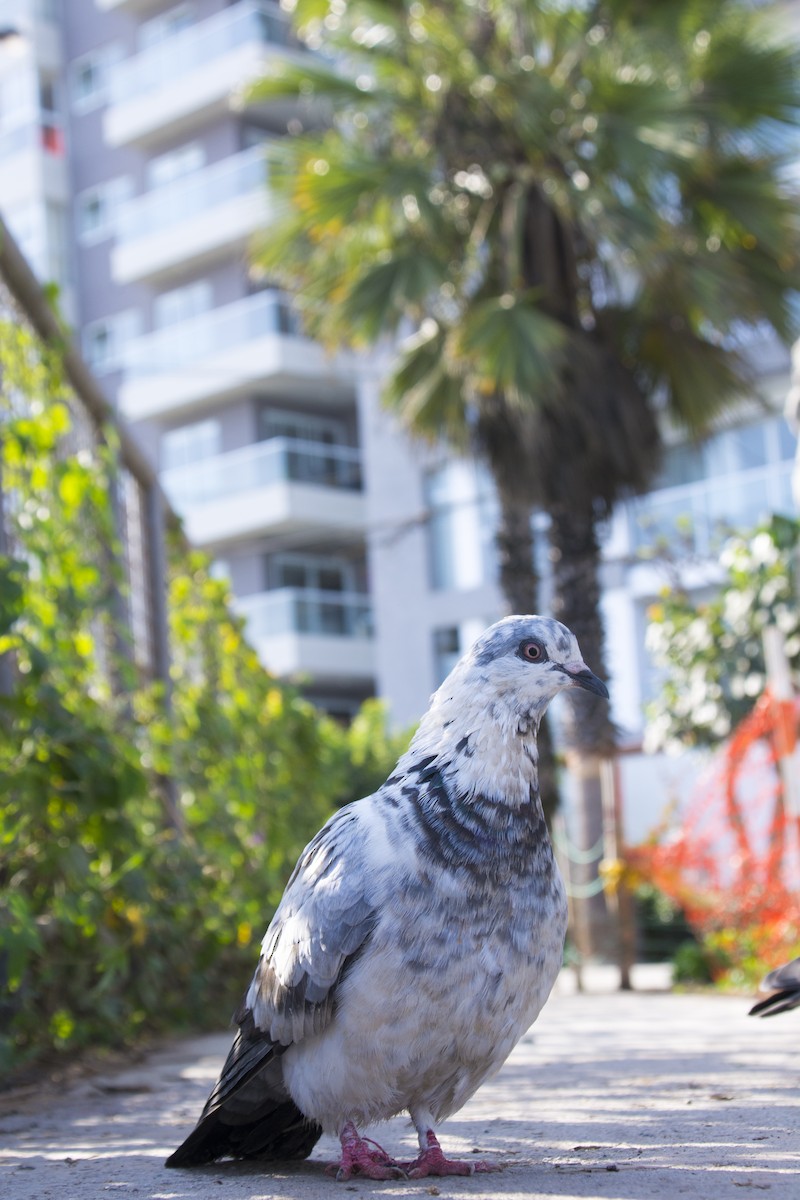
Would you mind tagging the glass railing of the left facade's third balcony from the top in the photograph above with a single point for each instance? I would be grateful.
(210, 333)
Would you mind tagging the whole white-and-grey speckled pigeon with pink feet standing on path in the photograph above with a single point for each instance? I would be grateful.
(419, 937)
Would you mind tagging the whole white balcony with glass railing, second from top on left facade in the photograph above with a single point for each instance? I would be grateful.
(197, 218)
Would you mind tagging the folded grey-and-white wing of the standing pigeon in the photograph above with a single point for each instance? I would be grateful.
(321, 927)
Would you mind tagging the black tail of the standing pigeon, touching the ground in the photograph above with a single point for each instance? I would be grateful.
(250, 1113)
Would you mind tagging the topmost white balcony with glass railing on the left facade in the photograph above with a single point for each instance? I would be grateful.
(195, 74)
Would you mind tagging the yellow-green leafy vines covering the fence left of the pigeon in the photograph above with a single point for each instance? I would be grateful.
(143, 845)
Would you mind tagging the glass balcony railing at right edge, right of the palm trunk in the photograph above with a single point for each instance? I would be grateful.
(697, 518)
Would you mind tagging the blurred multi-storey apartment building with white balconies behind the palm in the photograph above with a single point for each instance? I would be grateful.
(133, 178)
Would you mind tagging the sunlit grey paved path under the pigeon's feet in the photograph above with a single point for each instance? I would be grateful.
(618, 1096)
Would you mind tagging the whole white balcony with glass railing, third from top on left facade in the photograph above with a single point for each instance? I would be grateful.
(226, 353)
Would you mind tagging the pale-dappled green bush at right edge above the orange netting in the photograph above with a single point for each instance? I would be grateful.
(711, 653)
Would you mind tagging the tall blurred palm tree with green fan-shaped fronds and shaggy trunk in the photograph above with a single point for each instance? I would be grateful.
(575, 208)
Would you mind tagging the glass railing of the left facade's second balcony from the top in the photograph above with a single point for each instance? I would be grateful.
(193, 195)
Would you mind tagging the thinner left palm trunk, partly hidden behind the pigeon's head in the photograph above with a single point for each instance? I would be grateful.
(520, 584)
